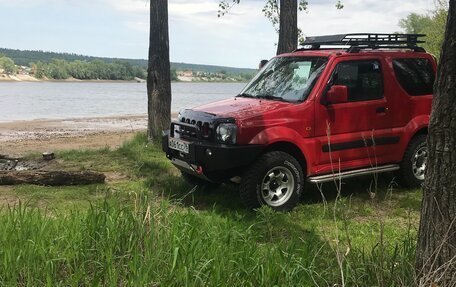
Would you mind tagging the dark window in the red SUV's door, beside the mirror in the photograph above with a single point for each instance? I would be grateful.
(363, 79)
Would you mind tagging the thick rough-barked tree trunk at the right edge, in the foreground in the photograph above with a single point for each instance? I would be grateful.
(436, 250)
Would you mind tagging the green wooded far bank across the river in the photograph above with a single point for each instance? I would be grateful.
(61, 66)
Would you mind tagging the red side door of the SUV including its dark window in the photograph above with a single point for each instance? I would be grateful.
(356, 133)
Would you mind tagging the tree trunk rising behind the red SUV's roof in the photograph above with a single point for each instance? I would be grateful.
(288, 30)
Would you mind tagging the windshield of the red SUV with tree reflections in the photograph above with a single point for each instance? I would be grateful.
(288, 79)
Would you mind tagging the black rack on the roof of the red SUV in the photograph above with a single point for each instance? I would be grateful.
(357, 41)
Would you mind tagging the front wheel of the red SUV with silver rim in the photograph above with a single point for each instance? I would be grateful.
(275, 179)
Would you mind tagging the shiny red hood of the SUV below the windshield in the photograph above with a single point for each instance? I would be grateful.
(241, 108)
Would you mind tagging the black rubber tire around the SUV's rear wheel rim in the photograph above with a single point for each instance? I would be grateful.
(407, 177)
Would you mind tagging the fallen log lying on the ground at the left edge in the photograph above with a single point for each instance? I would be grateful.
(51, 178)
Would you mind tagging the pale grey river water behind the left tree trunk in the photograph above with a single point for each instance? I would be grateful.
(63, 100)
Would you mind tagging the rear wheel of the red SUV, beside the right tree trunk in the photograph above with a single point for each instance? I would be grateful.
(413, 166)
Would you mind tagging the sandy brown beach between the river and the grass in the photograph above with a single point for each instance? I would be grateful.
(22, 137)
